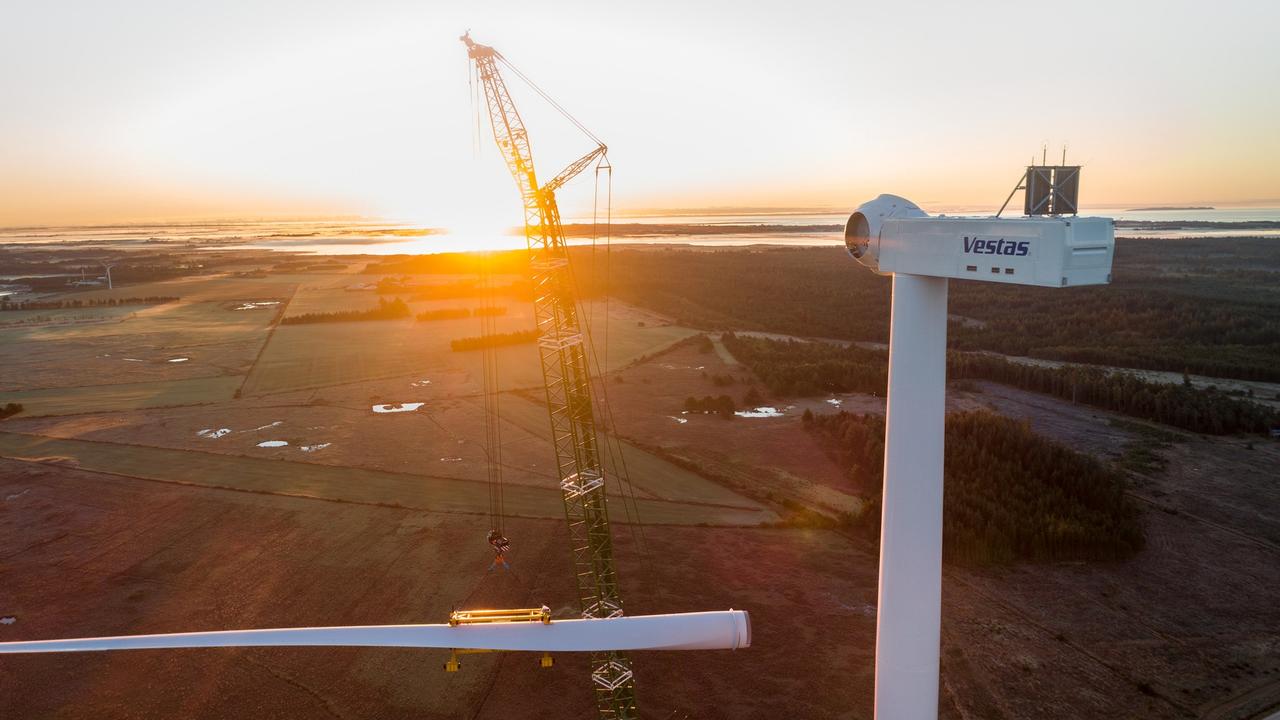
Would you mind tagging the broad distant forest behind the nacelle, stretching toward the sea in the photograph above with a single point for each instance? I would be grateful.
(1208, 307)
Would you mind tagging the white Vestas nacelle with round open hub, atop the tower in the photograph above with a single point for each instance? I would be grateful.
(893, 235)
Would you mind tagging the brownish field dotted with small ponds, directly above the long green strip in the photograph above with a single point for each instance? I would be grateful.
(437, 440)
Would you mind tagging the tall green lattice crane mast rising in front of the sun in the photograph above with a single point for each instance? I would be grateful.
(566, 379)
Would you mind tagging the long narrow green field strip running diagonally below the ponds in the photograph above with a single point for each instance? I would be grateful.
(346, 485)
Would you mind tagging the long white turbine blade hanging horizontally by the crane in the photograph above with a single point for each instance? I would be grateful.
(728, 630)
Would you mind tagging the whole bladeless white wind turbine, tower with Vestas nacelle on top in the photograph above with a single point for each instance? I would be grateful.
(893, 236)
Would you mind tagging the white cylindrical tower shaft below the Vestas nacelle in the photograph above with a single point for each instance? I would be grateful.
(908, 631)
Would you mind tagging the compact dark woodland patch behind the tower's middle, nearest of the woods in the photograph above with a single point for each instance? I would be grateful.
(1009, 495)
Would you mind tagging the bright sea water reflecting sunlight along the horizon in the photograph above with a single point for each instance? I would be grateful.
(392, 238)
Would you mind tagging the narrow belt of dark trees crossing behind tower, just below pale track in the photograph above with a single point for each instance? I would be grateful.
(816, 368)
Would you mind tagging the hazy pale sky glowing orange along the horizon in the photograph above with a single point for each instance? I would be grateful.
(132, 111)
